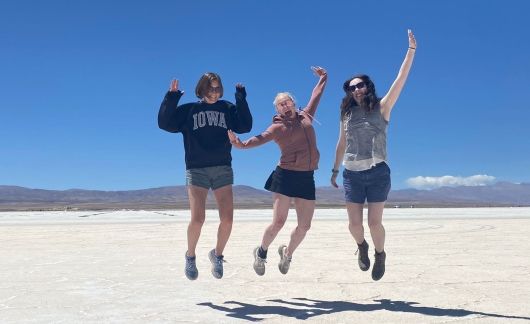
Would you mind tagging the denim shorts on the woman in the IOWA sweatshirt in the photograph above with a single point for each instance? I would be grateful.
(210, 177)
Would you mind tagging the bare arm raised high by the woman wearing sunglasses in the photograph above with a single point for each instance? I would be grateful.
(388, 101)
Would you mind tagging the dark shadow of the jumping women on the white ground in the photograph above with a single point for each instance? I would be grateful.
(313, 307)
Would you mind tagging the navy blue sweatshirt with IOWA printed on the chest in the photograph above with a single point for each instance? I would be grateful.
(204, 127)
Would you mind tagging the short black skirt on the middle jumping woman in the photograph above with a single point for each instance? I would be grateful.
(295, 184)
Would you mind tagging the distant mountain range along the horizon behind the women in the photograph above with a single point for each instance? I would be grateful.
(20, 198)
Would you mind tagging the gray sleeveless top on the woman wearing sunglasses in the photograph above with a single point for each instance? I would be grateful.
(365, 138)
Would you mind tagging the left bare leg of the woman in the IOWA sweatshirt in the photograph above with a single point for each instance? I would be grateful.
(197, 196)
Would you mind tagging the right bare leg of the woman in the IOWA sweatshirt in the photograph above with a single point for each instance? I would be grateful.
(225, 203)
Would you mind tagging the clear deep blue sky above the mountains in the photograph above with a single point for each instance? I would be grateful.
(81, 83)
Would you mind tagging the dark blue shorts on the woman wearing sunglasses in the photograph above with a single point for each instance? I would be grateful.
(372, 185)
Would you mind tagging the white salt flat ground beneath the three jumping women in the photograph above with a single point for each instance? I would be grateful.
(443, 265)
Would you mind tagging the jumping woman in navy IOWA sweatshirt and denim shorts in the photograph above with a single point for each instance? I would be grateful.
(204, 125)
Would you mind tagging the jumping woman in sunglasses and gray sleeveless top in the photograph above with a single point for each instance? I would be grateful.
(362, 150)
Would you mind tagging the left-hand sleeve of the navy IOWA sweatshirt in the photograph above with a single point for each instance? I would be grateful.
(170, 117)
